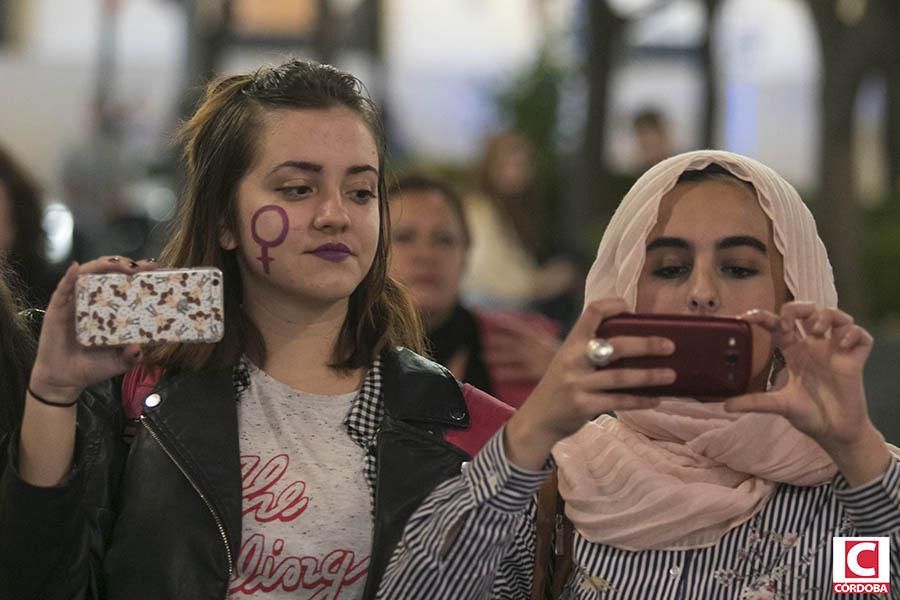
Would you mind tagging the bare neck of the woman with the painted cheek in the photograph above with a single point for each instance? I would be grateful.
(299, 341)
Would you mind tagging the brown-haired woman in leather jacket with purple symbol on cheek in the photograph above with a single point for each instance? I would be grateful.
(284, 459)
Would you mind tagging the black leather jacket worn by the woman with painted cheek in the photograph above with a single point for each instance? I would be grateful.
(162, 519)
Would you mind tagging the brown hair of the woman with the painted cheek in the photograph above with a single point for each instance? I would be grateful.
(220, 142)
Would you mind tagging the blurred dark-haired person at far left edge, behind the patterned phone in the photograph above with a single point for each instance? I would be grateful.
(23, 241)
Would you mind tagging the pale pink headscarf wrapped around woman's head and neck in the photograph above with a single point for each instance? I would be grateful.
(682, 475)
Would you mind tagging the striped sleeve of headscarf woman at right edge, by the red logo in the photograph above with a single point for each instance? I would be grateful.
(874, 509)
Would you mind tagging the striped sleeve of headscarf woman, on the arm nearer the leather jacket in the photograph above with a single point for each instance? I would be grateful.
(473, 536)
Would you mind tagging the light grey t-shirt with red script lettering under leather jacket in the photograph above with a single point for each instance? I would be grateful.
(307, 525)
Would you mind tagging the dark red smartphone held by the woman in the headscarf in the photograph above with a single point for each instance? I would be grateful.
(712, 357)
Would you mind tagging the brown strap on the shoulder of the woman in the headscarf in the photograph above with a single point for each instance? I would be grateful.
(554, 537)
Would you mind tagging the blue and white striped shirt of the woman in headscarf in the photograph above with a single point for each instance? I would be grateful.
(473, 537)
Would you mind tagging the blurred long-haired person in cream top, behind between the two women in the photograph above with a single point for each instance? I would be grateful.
(503, 266)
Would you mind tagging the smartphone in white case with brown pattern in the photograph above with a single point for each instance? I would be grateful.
(152, 307)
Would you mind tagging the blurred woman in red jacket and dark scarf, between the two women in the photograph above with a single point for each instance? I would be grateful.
(504, 353)
